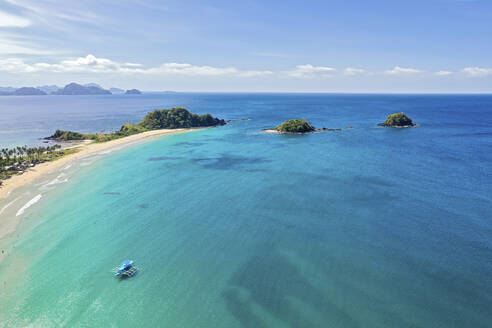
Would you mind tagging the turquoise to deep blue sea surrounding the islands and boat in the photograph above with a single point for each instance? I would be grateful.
(234, 227)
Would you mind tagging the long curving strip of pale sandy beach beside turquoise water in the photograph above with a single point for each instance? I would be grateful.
(9, 224)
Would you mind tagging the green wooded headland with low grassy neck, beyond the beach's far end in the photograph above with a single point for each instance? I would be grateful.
(174, 118)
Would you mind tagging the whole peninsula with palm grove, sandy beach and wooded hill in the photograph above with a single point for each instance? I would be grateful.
(21, 160)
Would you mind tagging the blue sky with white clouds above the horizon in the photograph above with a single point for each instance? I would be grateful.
(353, 46)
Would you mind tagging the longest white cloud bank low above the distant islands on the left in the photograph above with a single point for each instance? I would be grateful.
(93, 64)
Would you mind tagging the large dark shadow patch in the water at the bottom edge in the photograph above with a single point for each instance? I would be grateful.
(270, 282)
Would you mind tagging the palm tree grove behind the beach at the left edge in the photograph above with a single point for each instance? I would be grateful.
(17, 160)
